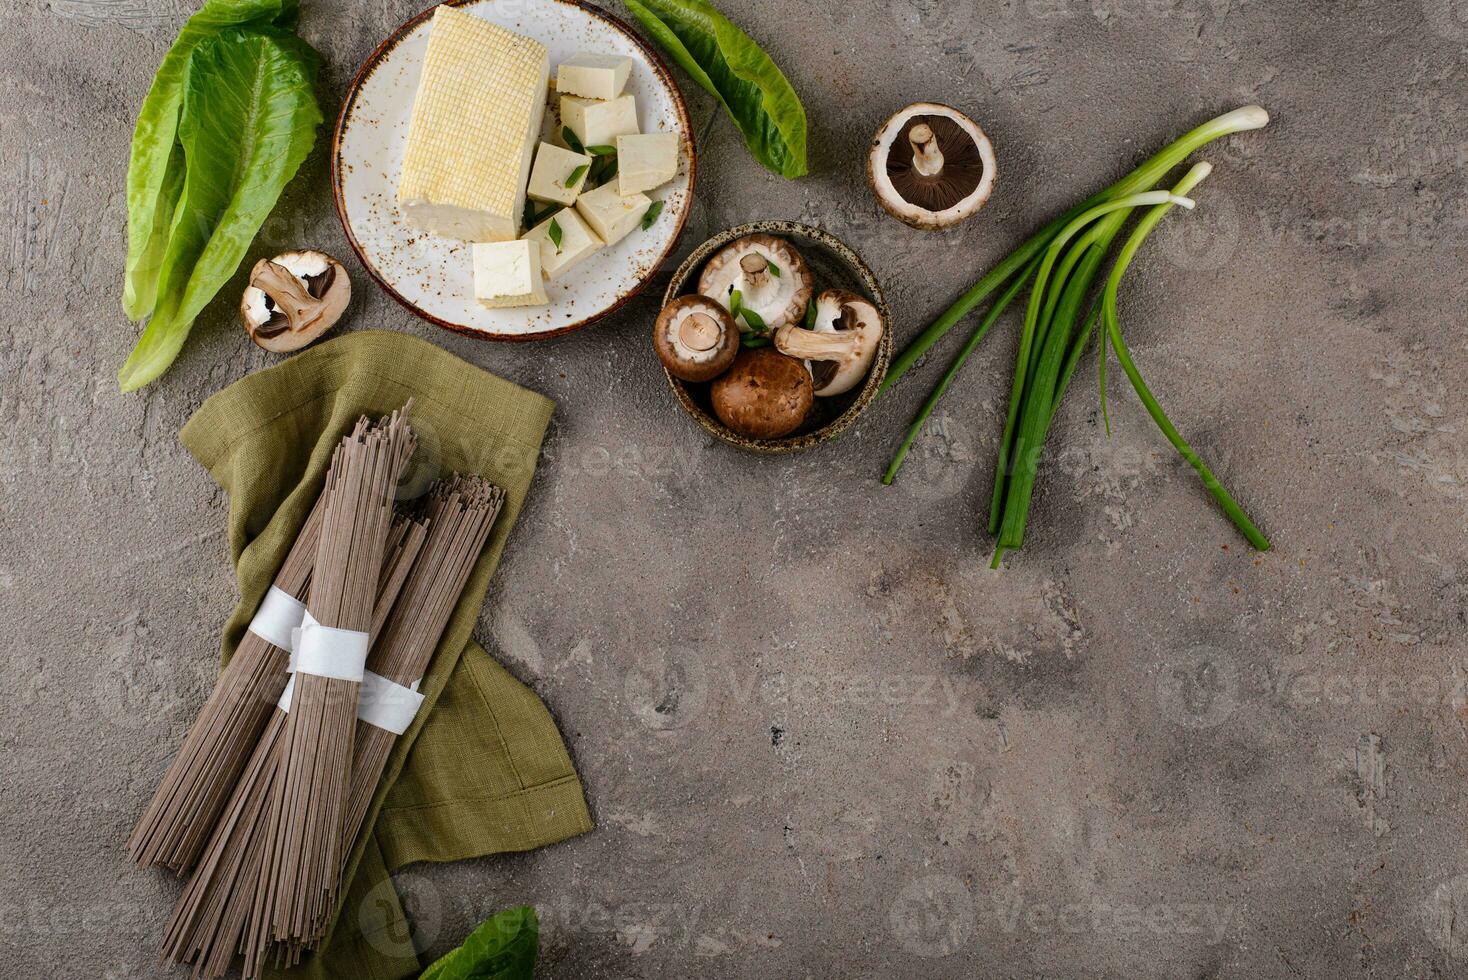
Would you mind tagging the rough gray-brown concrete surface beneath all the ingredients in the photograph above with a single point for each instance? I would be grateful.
(821, 739)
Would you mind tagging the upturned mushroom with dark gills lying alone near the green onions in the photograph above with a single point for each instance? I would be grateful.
(931, 167)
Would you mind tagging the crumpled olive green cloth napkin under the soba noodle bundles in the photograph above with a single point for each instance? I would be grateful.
(484, 769)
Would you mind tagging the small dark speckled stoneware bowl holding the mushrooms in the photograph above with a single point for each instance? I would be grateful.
(833, 266)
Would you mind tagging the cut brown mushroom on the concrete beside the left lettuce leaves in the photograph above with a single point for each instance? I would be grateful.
(294, 299)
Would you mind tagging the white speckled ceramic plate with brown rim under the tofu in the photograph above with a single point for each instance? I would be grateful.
(434, 277)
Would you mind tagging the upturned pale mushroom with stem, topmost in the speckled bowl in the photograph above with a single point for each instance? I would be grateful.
(770, 277)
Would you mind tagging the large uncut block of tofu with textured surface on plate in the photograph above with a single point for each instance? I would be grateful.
(475, 127)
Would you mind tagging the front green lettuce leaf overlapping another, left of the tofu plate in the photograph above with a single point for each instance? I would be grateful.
(249, 121)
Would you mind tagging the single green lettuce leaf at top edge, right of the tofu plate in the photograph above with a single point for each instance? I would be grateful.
(736, 71)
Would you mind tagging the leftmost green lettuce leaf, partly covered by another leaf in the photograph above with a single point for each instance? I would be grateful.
(156, 167)
